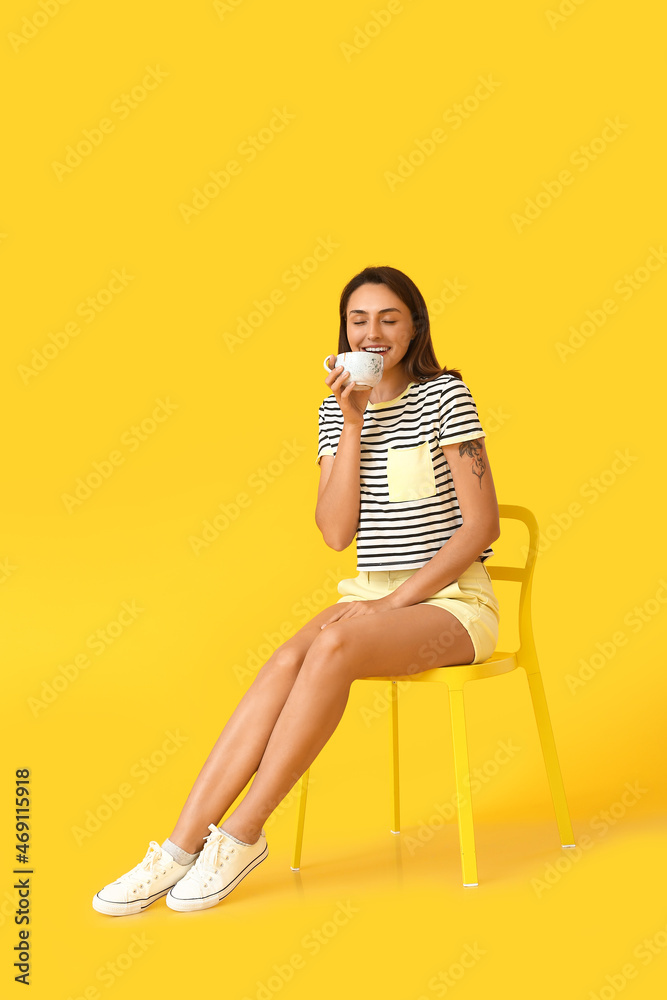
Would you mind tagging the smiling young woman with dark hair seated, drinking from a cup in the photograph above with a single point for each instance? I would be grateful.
(403, 466)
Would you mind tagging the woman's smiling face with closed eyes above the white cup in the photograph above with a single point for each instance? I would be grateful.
(376, 317)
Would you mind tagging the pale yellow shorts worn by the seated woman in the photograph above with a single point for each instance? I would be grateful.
(471, 599)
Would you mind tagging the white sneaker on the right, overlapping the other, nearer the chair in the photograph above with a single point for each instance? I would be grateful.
(219, 868)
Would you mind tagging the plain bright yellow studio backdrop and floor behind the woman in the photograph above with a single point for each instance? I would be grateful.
(556, 424)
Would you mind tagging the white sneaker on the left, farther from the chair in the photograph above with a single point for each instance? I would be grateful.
(149, 880)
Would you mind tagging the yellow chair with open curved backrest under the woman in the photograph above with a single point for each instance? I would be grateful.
(455, 677)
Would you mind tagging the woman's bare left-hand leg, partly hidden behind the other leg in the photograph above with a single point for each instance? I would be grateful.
(239, 748)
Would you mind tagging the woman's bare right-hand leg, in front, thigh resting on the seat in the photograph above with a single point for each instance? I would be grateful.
(401, 641)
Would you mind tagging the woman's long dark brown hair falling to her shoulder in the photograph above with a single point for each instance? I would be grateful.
(420, 363)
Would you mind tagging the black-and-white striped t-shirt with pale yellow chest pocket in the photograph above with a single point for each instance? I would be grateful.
(408, 504)
